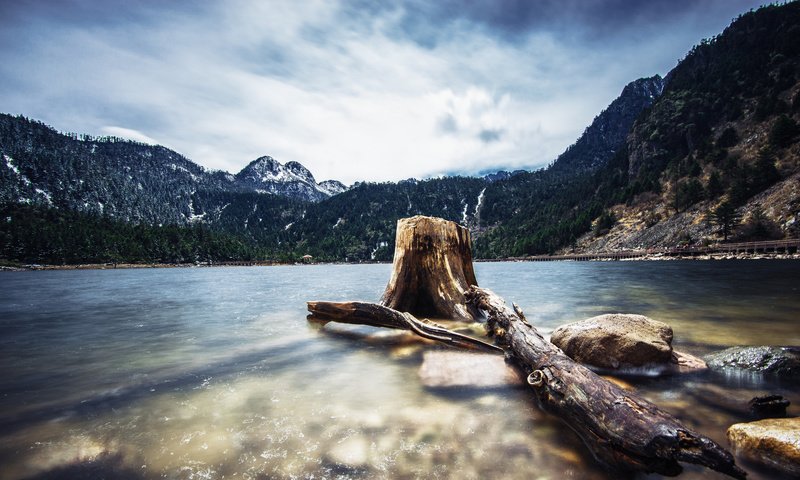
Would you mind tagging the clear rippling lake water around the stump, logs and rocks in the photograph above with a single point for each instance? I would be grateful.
(215, 372)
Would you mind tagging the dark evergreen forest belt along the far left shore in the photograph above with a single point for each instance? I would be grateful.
(48, 236)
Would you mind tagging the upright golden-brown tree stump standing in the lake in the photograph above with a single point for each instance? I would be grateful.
(432, 270)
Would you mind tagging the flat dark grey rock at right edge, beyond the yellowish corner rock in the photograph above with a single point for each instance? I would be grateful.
(782, 361)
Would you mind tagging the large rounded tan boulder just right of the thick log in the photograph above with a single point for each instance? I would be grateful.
(615, 340)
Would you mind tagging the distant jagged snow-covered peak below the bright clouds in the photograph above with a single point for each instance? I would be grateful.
(267, 175)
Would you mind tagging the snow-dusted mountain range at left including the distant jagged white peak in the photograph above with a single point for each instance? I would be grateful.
(130, 181)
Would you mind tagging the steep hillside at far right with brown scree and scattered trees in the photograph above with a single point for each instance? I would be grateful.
(724, 135)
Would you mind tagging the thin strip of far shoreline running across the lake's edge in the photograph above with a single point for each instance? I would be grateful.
(658, 257)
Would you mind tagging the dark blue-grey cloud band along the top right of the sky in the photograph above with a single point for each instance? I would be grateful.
(430, 23)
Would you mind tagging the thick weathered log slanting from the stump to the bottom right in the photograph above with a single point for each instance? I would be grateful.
(621, 429)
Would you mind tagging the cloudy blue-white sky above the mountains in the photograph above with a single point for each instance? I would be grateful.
(354, 90)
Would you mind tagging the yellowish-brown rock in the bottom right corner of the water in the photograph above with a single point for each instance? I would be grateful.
(774, 443)
